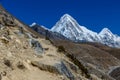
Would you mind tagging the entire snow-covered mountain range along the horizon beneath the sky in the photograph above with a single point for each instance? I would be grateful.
(68, 27)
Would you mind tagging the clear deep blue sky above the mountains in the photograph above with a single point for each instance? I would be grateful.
(94, 14)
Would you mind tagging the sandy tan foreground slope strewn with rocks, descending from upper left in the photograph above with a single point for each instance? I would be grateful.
(25, 55)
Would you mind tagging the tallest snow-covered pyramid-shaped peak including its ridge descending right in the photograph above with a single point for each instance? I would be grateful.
(70, 28)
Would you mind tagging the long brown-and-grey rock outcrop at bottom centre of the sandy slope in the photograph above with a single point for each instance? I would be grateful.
(59, 68)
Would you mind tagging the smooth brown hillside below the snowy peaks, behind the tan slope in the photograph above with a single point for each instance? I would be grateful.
(99, 59)
